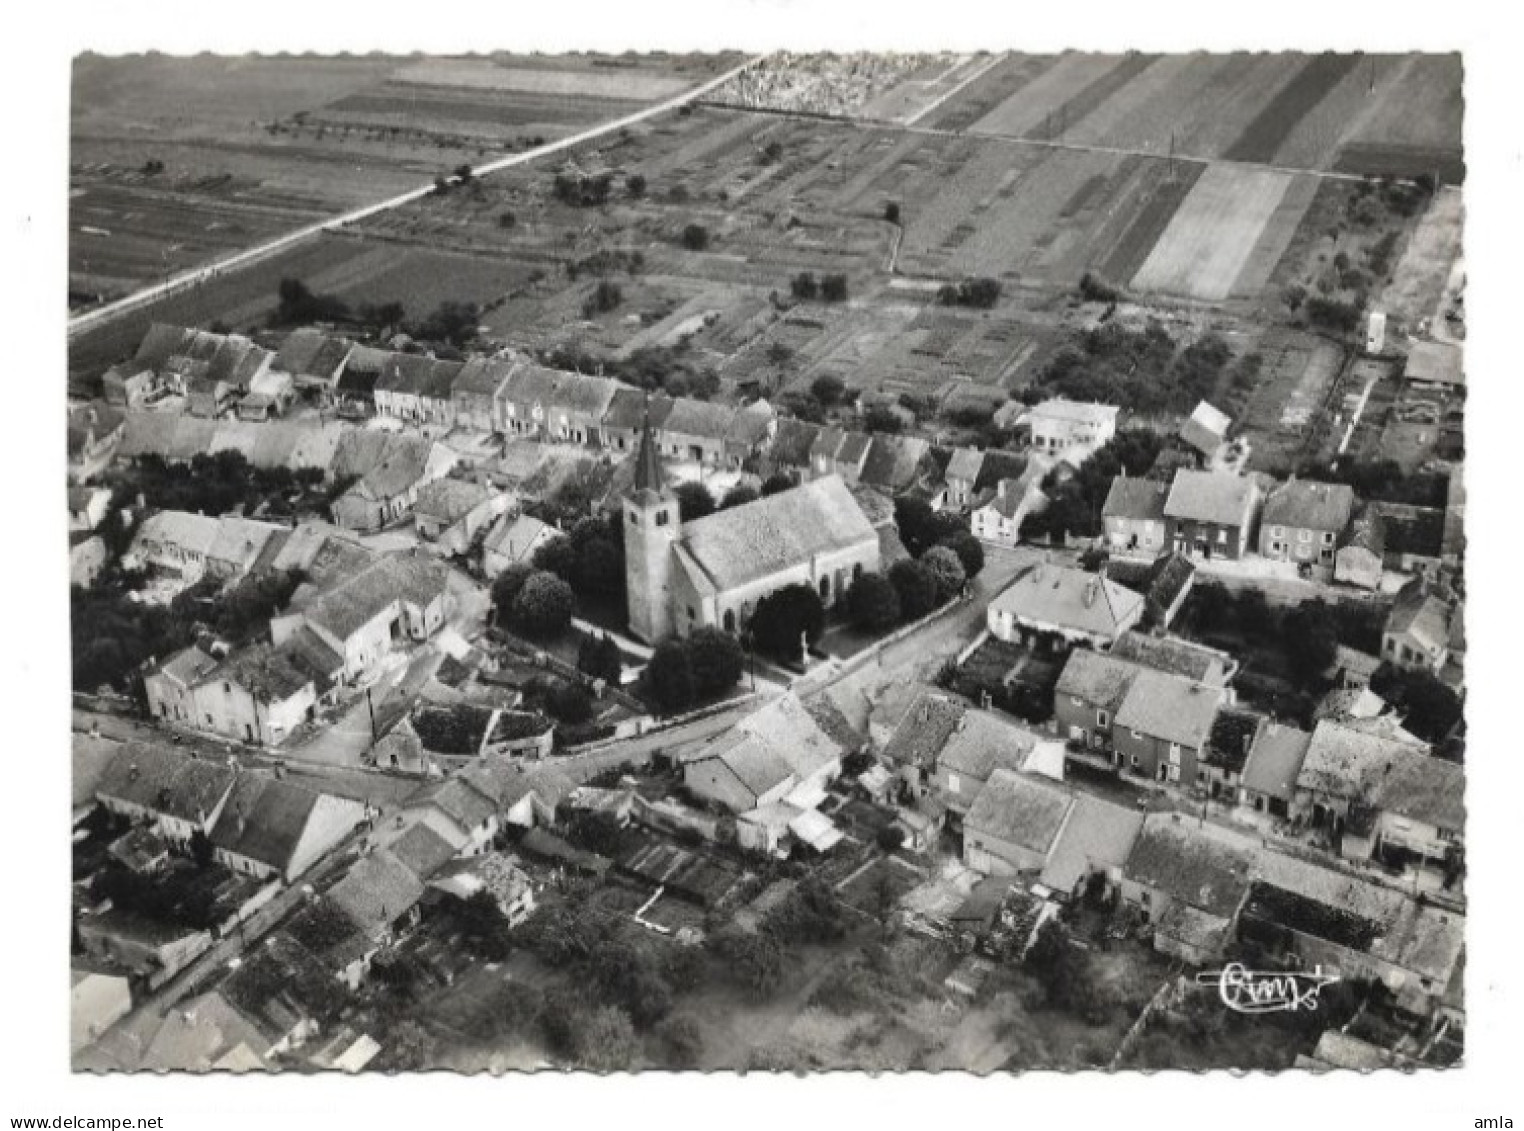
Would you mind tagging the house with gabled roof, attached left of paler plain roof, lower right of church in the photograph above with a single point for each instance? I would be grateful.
(1014, 824)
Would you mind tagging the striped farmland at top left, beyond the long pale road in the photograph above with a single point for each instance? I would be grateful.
(179, 161)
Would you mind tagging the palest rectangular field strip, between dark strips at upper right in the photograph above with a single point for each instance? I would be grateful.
(1214, 234)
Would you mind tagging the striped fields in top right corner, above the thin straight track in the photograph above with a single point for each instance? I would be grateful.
(1354, 114)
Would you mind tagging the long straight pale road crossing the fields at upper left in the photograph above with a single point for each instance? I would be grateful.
(200, 275)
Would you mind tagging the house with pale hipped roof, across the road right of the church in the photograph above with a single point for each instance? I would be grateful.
(1063, 606)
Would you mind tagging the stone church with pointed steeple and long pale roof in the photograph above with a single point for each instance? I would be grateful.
(714, 571)
